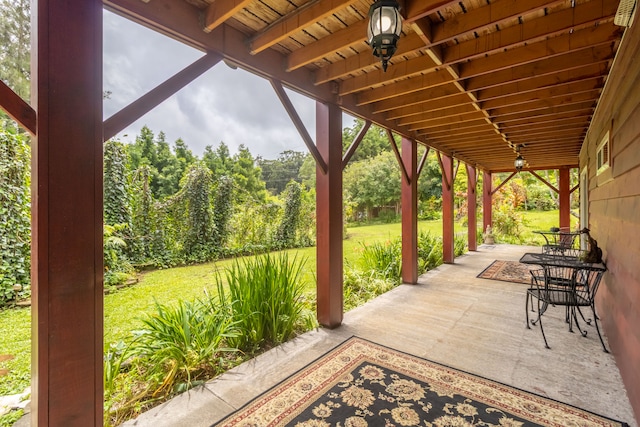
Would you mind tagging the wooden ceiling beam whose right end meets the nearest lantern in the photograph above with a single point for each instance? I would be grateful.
(352, 35)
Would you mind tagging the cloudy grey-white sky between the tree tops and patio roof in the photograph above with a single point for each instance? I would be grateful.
(227, 105)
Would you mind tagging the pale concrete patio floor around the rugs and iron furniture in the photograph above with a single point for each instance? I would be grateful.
(451, 317)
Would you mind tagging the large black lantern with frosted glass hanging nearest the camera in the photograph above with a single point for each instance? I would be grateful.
(385, 26)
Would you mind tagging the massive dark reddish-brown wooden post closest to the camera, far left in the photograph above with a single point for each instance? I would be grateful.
(67, 265)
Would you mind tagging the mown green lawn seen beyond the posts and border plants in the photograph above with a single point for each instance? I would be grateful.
(123, 308)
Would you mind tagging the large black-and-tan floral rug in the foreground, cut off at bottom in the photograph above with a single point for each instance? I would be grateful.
(360, 384)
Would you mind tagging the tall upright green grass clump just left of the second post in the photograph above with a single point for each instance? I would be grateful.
(264, 296)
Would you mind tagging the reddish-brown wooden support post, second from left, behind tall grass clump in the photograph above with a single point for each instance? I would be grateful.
(329, 215)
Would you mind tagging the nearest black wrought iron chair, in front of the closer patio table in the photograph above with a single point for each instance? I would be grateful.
(564, 286)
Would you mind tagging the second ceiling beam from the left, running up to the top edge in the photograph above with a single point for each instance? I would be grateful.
(302, 17)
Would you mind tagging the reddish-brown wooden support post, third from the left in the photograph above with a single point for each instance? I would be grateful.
(410, 212)
